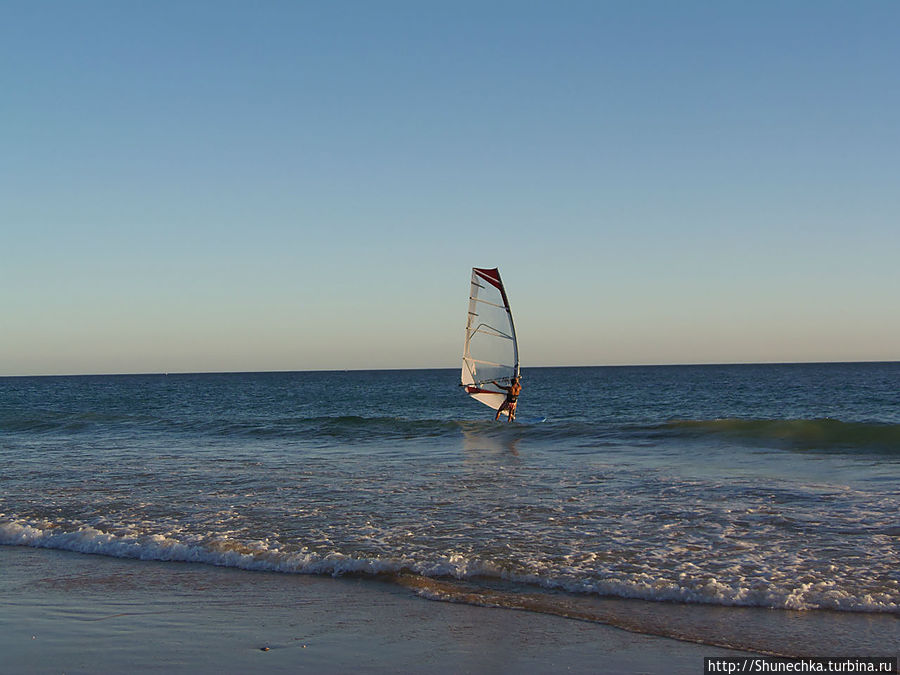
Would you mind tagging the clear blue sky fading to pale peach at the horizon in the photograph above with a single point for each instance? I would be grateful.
(195, 186)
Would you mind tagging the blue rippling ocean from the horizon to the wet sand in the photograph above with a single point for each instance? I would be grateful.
(747, 506)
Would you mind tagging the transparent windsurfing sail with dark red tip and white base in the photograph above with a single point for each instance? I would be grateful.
(490, 353)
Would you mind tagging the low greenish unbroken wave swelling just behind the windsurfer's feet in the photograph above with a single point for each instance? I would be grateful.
(801, 434)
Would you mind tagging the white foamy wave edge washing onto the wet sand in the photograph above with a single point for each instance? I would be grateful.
(773, 591)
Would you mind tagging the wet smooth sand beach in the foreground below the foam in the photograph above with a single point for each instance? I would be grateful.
(65, 612)
